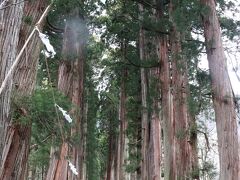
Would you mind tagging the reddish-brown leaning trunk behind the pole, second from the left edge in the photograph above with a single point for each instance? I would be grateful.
(16, 149)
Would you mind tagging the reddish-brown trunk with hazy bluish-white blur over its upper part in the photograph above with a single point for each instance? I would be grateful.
(70, 82)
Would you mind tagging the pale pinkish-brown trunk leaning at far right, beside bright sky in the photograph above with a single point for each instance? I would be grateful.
(223, 97)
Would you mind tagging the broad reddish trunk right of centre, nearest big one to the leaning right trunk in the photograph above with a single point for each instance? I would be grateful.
(182, 149)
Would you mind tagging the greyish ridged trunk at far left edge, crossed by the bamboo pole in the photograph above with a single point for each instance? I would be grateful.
(10, 21)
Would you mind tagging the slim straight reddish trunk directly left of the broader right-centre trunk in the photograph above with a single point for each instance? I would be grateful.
(166, 100)
